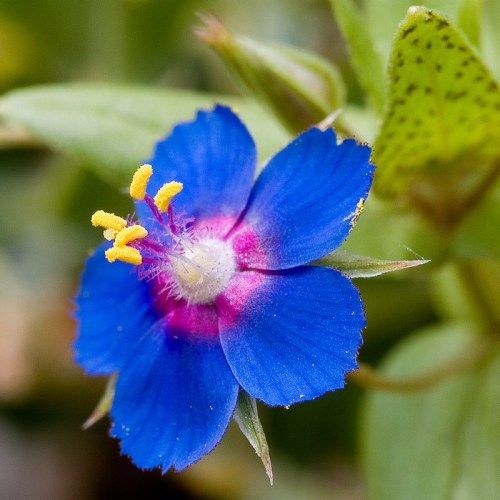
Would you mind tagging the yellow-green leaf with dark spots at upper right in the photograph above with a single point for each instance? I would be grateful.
(443, 117)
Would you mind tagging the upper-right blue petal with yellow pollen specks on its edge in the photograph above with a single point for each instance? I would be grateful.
(305, 201)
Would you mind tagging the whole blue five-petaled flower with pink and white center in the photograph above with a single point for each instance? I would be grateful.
(219, 297)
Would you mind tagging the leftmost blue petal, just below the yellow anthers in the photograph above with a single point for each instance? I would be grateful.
(113, 310)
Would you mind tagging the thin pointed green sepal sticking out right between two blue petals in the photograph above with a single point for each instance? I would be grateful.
(358, 266)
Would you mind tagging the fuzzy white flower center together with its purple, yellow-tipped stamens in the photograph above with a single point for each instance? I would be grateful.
(185, 264)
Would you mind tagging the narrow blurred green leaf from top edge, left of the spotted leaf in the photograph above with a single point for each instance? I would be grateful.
(366, 59)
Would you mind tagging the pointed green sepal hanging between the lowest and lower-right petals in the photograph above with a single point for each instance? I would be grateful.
(247, 418)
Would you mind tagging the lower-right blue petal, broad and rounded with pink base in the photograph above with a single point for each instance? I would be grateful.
(295, 337)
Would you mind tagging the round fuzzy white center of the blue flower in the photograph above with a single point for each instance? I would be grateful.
(202, 269)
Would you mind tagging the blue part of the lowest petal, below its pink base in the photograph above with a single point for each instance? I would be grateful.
(174, 399)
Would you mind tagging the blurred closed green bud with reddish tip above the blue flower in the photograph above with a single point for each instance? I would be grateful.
(299, 87)
